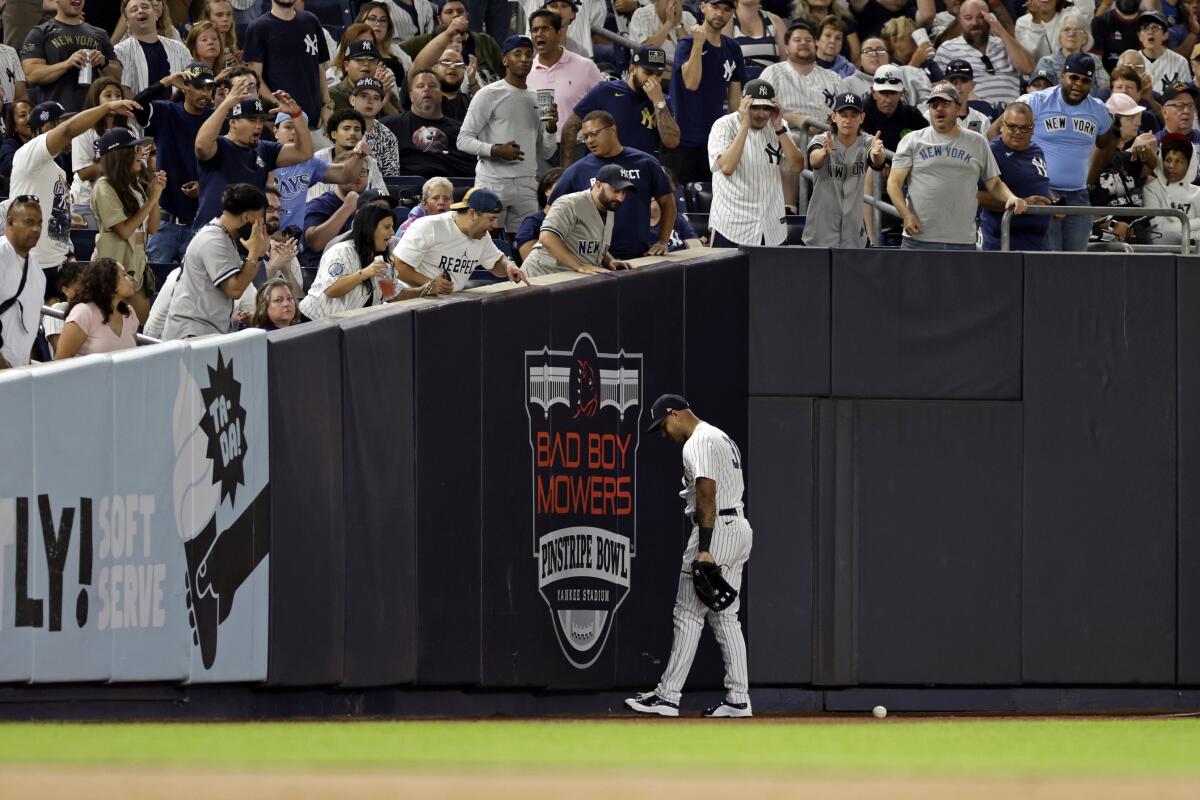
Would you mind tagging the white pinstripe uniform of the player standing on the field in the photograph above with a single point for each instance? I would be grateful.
(710, 454)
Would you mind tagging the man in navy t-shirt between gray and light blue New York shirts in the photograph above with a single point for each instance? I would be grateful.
(1023, 167)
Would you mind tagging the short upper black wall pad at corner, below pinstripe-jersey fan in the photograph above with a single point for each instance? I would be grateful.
(790, 322)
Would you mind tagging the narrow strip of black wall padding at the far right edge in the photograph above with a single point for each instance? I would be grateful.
(1190, 471)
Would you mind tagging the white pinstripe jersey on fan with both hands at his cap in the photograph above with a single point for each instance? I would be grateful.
(748, 206)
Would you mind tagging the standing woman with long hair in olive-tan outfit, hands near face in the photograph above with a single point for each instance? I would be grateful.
(125, 203)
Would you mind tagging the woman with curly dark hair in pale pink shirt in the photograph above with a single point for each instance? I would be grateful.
(100, 320)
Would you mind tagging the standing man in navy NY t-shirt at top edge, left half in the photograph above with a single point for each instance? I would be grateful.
(287, 50)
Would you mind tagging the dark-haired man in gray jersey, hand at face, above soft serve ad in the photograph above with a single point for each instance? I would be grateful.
(215, 274)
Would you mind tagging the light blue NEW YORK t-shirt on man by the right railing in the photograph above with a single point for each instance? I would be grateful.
(1066, 135)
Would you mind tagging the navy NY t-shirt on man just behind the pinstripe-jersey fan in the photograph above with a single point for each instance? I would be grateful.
(697, 111)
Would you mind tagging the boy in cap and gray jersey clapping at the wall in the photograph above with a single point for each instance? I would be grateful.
(839, 161)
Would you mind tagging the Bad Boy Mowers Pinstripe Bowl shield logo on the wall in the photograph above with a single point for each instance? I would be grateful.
(585, 410)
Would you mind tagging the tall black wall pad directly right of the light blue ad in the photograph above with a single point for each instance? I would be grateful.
(308, 592)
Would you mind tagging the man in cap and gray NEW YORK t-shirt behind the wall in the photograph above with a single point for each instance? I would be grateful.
(943, 166)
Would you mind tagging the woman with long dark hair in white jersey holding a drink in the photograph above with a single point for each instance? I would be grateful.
(358, 272)
